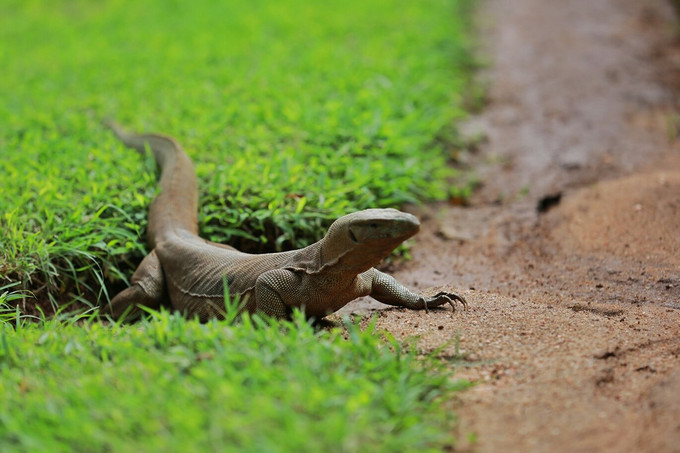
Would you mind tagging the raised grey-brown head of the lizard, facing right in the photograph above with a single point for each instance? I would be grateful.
(362, 239)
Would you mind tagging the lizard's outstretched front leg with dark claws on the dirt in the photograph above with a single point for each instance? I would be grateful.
(388, 290)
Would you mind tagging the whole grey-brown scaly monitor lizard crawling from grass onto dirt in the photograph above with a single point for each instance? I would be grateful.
(187, 272)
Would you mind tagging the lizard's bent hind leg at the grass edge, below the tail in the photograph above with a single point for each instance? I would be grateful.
(147, 289)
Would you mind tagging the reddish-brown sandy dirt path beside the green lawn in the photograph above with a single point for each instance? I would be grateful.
(574, 330)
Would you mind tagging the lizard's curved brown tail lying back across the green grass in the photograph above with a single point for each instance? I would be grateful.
(175, 209)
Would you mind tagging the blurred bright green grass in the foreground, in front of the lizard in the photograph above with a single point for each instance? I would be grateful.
(169, 384)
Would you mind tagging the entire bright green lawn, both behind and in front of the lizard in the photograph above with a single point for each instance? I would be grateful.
(295, 113)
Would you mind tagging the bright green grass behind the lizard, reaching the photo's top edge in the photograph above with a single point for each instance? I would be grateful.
(295, 112)
